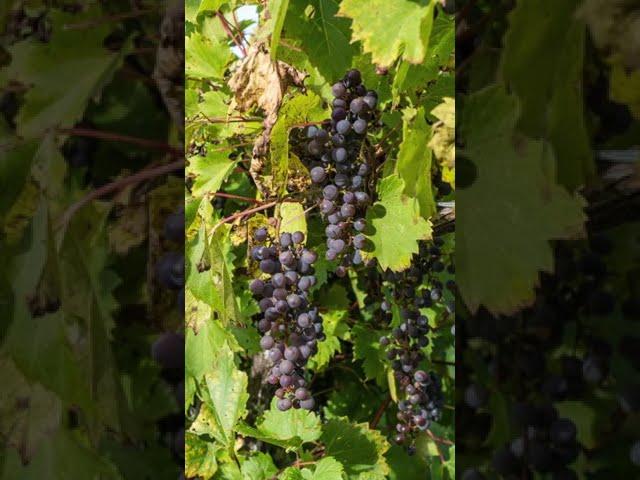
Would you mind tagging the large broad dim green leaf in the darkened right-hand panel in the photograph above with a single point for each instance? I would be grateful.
(515, 178)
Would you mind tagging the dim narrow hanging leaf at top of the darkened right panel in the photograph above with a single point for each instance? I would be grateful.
(552, 105)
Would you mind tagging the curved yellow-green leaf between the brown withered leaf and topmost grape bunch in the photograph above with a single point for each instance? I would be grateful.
(300, 109)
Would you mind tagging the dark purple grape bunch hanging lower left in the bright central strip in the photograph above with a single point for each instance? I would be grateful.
(291, 327)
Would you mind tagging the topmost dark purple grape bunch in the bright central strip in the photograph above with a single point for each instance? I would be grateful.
(334, 154)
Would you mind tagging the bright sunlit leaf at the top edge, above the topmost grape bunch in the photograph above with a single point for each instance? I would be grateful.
(411, 21)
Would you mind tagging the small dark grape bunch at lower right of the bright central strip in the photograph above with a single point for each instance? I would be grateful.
(421, 392)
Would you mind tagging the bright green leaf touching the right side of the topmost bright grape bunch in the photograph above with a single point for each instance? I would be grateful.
(396, 226)
